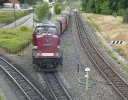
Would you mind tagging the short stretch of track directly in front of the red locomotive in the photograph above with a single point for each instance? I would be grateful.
(55, 86)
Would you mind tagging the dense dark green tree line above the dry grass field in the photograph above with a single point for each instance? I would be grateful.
(106, 7)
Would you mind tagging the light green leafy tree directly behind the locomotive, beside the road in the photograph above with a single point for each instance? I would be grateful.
(42, 12)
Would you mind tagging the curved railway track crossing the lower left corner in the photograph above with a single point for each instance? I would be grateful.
(21, 81)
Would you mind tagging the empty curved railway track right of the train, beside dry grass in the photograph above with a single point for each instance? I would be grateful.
(108, 72)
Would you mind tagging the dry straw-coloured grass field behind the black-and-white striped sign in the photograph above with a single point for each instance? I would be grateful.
(111, 29)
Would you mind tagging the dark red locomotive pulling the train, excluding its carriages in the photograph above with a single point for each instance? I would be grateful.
(47, 56)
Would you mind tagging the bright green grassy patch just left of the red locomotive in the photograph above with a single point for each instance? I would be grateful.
(15, 39)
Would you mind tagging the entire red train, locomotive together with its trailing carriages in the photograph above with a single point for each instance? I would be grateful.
(46, 42)
